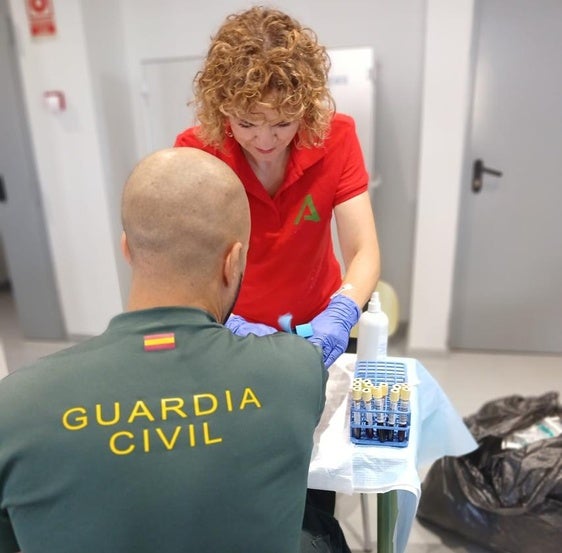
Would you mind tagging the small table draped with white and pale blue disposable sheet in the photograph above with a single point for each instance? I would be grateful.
(436, 430)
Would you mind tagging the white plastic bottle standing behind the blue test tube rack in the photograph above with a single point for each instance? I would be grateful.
(372, 335)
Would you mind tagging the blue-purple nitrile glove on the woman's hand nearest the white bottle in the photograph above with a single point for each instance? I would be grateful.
(332, 327)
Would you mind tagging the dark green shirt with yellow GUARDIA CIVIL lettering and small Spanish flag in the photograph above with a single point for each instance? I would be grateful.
(166, 433)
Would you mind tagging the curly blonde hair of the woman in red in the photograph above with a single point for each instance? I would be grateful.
(263, 57)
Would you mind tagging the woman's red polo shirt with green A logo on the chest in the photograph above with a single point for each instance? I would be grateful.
(291, 264)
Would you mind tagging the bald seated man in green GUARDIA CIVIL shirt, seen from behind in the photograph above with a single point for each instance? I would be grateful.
(166, 432)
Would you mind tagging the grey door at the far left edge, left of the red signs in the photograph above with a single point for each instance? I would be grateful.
(22, 226)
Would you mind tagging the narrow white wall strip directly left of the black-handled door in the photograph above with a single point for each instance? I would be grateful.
(444, 118)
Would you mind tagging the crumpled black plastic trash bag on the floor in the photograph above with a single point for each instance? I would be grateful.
(506, 500)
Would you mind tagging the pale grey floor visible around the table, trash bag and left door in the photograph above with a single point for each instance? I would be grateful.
(468, 378)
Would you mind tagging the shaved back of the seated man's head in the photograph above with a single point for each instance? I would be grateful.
(182, 209)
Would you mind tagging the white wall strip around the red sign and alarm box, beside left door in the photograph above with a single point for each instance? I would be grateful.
(67, 150)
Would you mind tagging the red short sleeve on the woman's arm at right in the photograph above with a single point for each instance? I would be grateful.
(354, 178)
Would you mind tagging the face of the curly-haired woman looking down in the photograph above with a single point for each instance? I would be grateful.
(263, 133)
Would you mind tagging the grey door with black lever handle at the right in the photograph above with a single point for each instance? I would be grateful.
(508, 282)
